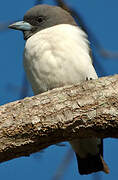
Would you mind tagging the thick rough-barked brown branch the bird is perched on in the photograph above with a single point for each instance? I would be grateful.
(85, 110)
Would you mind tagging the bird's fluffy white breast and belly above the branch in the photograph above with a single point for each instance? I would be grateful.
(57, 56)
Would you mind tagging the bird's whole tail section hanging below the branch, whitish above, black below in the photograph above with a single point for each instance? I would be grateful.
(89, 154)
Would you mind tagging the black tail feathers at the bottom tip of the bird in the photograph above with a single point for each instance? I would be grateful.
(91, 164)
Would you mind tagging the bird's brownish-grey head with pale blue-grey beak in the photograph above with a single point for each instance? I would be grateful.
(40, 17)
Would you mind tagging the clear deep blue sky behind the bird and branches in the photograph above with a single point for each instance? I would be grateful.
(101, 18)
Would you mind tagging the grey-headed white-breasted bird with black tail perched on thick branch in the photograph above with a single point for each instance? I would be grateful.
(57, 54)
